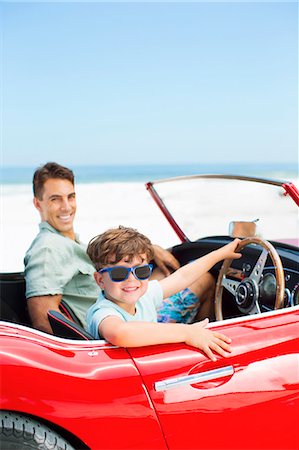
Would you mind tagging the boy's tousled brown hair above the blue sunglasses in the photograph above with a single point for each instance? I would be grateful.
(116, 243)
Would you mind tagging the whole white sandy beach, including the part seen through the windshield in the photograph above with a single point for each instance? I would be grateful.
(105, 205)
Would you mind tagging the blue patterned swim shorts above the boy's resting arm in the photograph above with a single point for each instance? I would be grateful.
(181, 307)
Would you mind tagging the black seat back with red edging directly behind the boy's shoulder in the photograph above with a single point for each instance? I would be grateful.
(65, 328)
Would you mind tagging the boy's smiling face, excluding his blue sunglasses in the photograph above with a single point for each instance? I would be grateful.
(124, 293)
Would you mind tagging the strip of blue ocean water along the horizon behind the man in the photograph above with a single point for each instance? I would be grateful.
(143, 173)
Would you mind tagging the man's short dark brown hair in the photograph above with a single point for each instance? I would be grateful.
(47, 171)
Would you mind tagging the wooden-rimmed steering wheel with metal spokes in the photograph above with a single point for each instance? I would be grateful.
(246, 291)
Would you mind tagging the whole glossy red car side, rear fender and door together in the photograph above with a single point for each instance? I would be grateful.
(106, 395)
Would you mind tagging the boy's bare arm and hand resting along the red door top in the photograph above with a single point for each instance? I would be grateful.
(139, 334)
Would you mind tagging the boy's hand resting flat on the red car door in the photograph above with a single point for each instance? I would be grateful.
(208, 341)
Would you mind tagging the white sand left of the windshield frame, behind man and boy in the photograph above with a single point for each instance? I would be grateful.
(100, 206)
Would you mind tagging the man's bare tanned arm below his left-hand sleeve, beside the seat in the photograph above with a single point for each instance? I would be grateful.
(38, 308)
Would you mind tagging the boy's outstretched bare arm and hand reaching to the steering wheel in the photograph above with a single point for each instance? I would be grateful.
(189, 273)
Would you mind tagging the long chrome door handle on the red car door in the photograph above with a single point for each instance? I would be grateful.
(193, 379)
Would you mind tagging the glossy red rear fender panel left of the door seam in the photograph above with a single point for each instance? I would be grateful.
(94, 392)
